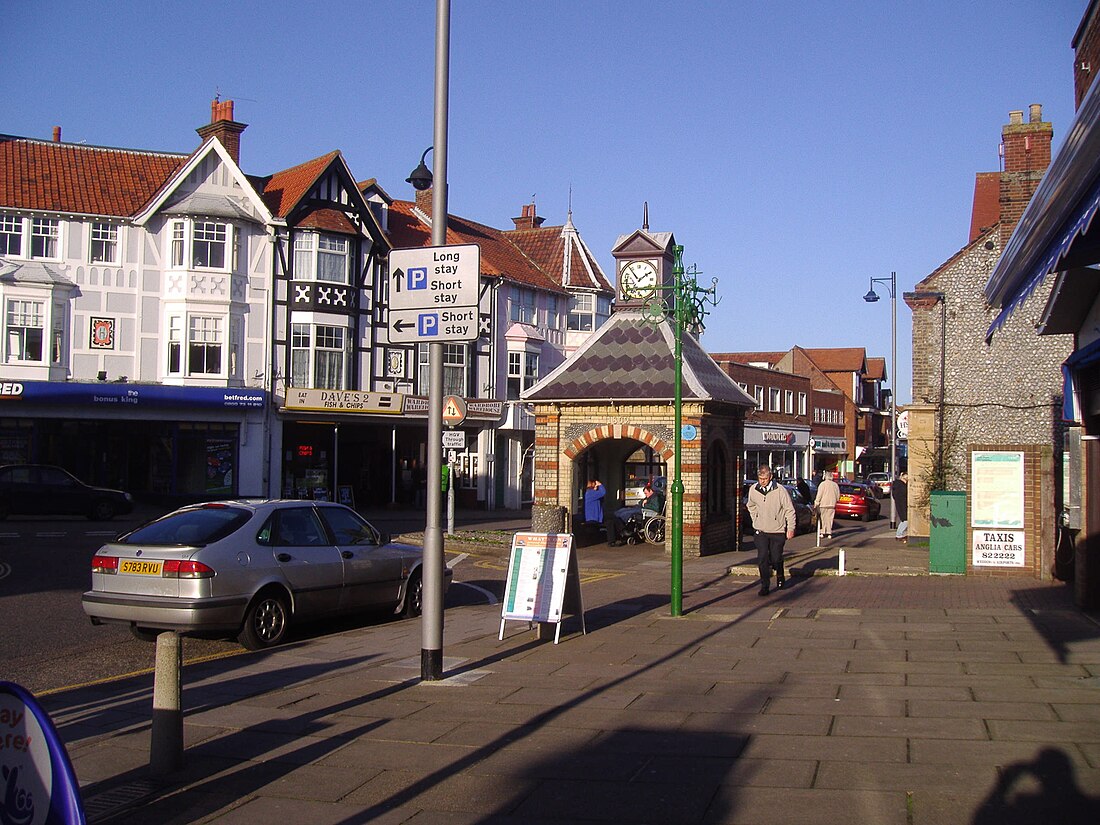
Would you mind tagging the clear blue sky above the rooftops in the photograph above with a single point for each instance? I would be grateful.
(796, 149)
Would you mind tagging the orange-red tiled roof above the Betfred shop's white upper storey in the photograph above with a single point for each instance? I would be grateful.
(68, 178)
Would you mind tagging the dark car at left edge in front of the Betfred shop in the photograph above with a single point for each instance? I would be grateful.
(43, 490)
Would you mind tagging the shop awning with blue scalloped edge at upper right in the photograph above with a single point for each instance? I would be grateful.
(1058, 230)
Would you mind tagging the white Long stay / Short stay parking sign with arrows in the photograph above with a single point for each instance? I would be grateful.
(434, 294)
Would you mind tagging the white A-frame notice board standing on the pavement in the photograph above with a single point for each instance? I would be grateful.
(544, 581)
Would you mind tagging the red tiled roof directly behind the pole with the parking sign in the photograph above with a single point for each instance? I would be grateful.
(500, 258)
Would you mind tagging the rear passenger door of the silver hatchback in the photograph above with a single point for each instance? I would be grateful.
(311, 564)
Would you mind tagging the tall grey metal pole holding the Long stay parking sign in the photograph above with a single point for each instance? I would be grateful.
(432, 646)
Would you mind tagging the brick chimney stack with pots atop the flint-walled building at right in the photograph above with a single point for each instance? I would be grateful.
(1027, 150)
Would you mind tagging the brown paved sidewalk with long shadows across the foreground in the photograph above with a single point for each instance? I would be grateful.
(870, 699)
